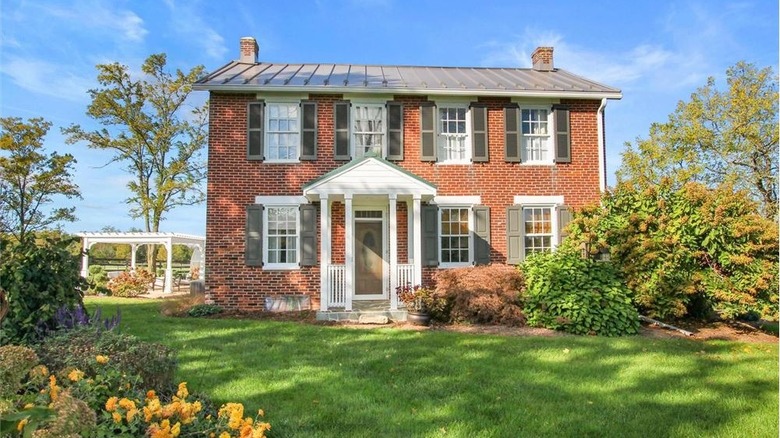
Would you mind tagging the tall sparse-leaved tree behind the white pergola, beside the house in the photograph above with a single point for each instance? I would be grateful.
(150, 132)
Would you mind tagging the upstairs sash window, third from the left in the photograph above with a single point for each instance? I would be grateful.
(454, 145)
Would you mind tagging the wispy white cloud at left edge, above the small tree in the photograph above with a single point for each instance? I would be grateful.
(47, 78)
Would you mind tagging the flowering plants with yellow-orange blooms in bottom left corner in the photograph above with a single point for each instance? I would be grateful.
(105, 403)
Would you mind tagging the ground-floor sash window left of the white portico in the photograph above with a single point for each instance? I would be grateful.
(281, 245)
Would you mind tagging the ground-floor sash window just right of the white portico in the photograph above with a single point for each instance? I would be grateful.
(455, 242)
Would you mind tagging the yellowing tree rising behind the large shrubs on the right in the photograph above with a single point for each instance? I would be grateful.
(717, 137)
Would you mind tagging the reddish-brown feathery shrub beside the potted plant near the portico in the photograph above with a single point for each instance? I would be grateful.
(482, 294)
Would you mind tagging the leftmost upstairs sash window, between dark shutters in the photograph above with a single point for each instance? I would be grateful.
(282, 132)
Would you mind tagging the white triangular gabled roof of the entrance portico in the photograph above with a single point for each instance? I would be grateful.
(369, 176)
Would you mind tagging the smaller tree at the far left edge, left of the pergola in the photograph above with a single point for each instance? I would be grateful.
(30, 179)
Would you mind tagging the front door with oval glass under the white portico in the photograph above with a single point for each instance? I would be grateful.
(369, 265)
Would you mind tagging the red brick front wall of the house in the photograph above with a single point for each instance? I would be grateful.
(234, 182)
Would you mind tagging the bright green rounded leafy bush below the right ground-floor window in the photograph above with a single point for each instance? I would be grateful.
(581, 296)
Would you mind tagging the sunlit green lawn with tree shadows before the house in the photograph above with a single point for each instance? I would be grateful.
(334, 381)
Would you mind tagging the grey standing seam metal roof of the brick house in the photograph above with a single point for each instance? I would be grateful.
(345, 78)
